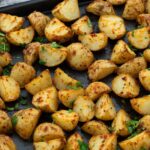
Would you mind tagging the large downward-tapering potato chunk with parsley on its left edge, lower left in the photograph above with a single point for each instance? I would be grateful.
(25, 121)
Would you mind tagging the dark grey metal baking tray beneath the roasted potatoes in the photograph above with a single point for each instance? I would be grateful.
(45, 6)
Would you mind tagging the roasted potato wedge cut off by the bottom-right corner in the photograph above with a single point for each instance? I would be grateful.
(138, 142)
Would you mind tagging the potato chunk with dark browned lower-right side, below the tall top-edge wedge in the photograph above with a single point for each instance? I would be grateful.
(56, 30)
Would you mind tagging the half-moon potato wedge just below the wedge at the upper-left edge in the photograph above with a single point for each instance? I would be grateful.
(21, 37)
